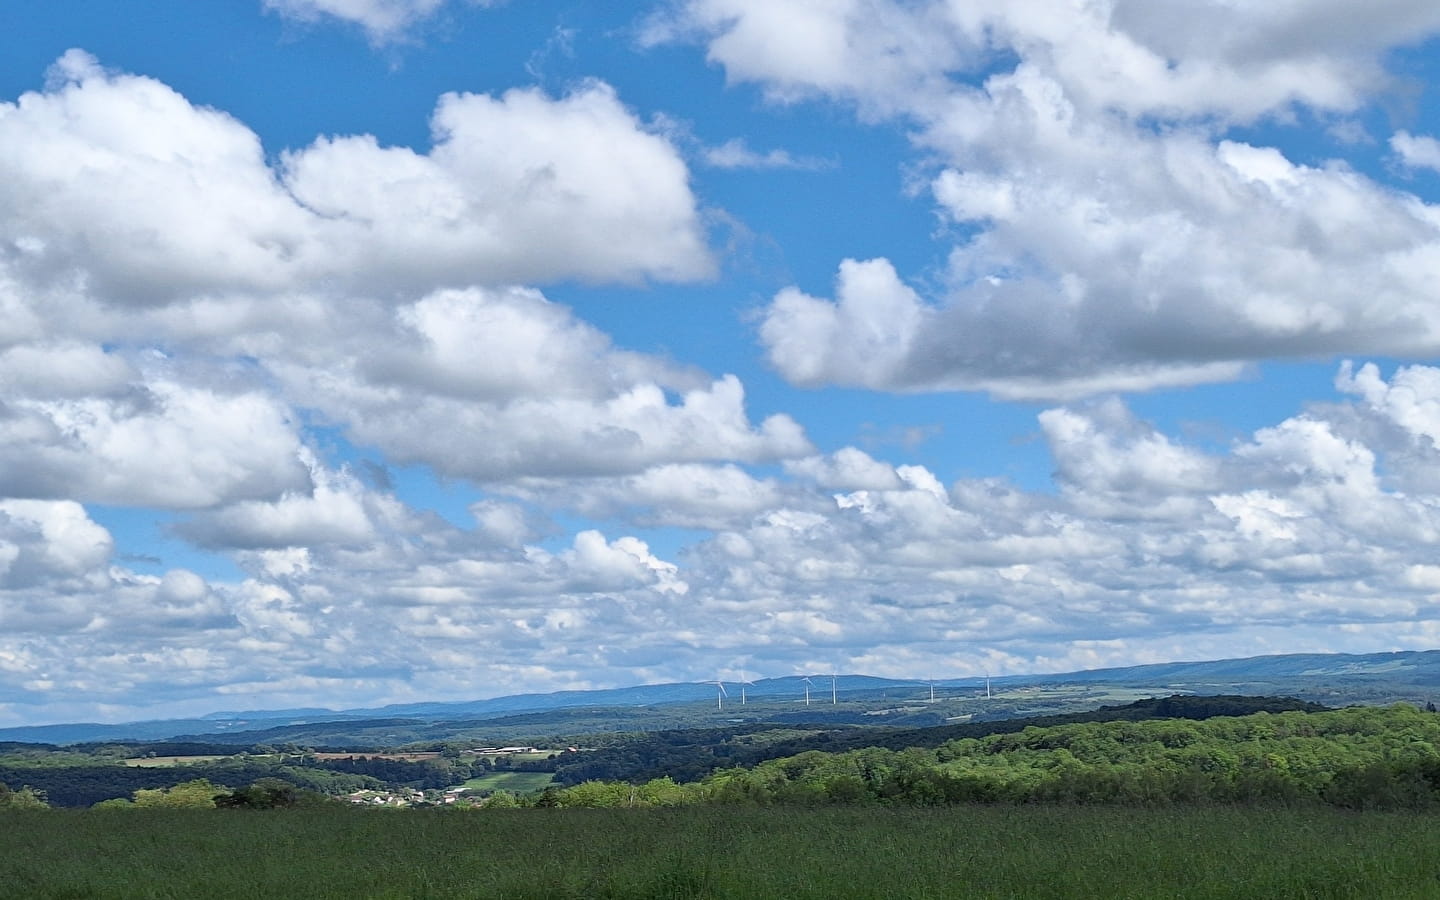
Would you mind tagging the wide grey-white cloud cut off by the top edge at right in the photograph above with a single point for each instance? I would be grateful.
(1196, 60)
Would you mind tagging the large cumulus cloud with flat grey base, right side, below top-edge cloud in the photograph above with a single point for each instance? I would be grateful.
(1078, 286)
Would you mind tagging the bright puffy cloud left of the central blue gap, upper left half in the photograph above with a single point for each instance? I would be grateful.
(519, 188)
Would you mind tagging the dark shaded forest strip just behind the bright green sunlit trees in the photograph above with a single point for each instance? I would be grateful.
(688, 757)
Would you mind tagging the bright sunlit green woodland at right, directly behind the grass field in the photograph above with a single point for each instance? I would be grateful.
(1362, 758)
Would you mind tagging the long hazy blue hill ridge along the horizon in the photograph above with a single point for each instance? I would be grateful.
(1326, 678)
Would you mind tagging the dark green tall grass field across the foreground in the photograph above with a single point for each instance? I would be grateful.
(734, 853)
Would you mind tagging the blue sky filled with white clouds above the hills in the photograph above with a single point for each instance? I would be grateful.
(364, 352)
